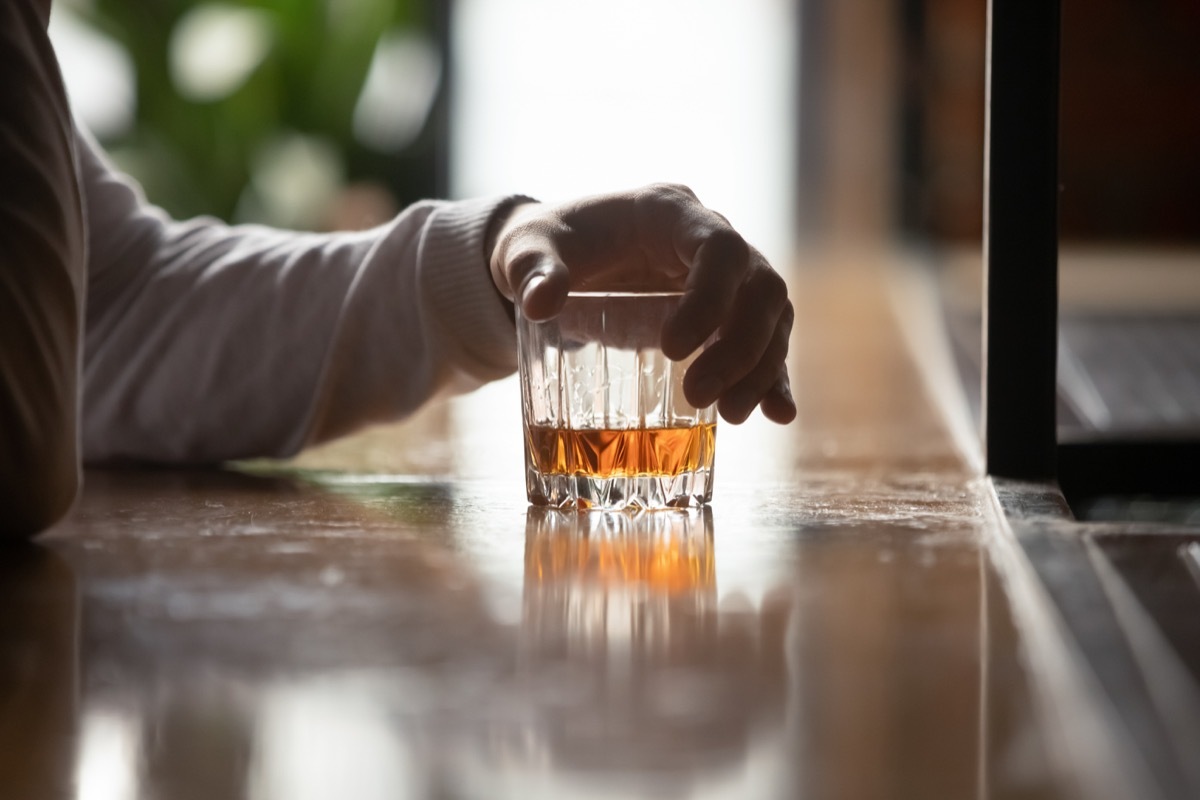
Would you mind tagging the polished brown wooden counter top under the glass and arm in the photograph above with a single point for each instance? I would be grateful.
(387, 618)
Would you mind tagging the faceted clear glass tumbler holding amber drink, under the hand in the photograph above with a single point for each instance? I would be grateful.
(607, 422)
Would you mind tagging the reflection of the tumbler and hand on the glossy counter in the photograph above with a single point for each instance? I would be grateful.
(623, 663)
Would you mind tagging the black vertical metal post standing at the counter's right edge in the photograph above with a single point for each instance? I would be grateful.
(1022, 238)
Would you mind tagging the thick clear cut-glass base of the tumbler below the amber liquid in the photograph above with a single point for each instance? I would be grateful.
(621, 492)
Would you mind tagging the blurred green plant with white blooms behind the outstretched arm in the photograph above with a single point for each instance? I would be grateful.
(307, 115)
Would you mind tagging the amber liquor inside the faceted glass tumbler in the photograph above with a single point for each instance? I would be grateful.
(604, 453)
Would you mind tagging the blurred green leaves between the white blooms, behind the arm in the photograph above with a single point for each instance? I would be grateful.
(199, 157)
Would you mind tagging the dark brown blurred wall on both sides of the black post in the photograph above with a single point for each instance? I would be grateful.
(1130, 121)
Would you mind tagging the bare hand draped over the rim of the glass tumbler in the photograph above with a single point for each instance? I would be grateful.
(662, 238)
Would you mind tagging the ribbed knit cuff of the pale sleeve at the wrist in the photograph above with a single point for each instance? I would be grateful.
(461, 291)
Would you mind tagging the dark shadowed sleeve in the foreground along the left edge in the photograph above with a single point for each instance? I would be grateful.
(43, 264)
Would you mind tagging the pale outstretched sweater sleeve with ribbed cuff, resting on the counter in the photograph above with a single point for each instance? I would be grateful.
(207, 342)
